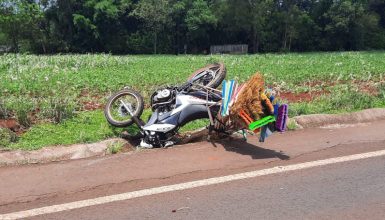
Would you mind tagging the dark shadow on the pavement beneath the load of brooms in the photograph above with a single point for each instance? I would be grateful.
(256, 152)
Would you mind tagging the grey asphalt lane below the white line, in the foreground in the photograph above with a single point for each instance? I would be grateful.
(353, 190)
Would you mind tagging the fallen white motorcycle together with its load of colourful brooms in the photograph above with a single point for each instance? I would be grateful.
(246, 106)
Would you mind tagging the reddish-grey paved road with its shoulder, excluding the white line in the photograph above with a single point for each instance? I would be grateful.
(352, 190)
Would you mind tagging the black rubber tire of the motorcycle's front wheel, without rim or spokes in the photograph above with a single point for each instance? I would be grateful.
(139, 106)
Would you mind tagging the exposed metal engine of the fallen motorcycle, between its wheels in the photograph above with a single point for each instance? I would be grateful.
(163, 100)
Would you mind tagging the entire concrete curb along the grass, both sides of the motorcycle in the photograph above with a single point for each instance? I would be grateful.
(78, 151)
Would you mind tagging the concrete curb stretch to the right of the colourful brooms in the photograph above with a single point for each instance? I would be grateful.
(320, 120)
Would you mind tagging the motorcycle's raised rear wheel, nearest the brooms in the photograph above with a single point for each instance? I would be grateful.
(204, 75)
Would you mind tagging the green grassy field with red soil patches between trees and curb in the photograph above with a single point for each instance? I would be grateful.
(49, 95)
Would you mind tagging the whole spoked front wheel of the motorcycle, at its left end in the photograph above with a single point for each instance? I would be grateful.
(121, 106)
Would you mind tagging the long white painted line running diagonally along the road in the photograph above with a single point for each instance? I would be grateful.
(187, 185)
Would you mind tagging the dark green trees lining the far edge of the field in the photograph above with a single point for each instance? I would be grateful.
(190, 26)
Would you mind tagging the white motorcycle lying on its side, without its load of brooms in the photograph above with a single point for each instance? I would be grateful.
(172, 107)
